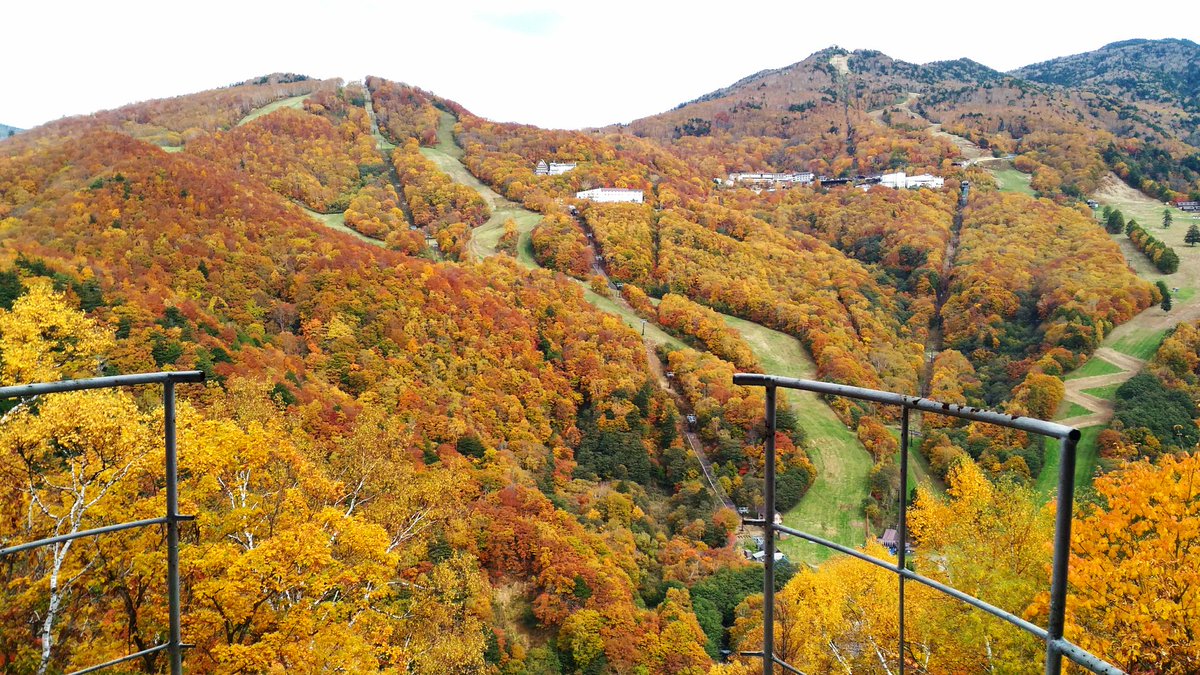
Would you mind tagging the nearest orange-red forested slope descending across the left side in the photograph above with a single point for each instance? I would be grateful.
(182, 262)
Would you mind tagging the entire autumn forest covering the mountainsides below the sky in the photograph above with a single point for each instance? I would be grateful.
(459, 420)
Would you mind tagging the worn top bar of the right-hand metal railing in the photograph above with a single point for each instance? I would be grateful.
(1030, 425)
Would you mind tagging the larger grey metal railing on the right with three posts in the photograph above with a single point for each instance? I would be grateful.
(1053, 635)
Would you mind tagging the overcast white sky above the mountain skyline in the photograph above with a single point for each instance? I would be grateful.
(555, 64)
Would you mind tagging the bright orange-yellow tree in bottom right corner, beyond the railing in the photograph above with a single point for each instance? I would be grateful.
(1136, 569)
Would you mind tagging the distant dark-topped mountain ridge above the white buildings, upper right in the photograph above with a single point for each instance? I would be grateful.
(1127, 107)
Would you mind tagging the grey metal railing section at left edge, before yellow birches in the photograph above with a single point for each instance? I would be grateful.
(175, 646)
